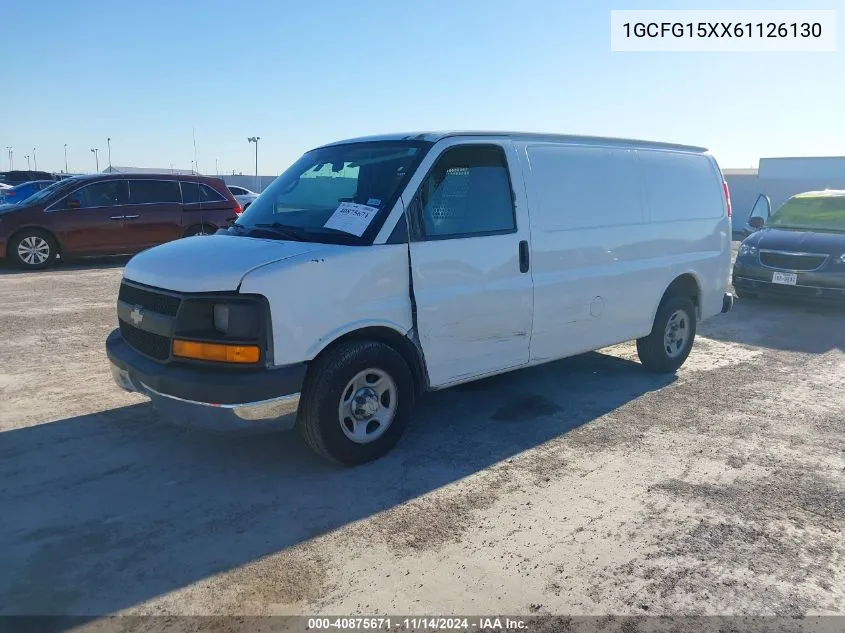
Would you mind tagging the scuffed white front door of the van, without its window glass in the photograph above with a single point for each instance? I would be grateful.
(474, 306)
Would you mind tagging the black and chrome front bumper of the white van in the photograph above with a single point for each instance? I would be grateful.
(210, 399)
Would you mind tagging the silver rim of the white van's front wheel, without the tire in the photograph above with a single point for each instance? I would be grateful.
(367, 406)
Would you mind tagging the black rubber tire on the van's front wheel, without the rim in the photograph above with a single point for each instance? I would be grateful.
(319, 420)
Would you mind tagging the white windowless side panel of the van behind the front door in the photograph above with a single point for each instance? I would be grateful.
(609, 235)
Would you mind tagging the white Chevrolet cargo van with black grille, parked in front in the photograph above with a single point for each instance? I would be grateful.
(378, 268)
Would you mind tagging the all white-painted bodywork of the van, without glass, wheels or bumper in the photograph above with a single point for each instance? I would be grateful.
(609, 223)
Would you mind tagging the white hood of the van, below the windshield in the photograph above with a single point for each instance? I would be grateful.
(209, 263)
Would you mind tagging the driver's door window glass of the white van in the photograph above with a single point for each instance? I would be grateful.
(467, 193)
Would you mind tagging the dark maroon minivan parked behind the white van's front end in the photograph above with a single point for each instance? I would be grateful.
(112, 214)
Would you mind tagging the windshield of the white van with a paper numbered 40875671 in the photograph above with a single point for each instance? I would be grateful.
(335, 194)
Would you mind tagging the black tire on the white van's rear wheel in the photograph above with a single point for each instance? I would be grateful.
(653, 352)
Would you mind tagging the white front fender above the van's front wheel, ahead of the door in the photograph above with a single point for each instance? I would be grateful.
(318, 297)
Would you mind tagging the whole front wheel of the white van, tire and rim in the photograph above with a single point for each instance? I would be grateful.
(356, 402)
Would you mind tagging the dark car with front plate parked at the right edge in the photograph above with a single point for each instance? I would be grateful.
(797, 252)
